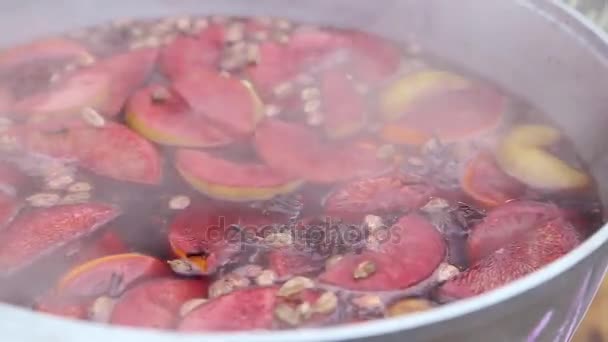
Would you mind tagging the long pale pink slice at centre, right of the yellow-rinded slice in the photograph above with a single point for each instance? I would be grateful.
(298, 151)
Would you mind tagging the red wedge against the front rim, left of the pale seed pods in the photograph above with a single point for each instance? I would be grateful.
(249, 309)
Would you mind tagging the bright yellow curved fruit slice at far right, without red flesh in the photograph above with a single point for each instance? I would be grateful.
(521, 155)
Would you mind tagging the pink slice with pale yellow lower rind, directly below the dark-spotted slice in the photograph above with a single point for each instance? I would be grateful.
(226, 180)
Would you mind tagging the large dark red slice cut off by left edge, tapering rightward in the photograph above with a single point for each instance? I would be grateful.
(38, 233)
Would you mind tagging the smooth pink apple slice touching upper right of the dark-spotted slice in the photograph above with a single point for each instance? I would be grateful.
(227, 102)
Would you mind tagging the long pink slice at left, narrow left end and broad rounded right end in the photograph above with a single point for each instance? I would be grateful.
(113, 151)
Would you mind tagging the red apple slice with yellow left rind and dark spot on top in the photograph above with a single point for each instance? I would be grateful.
(170, 121)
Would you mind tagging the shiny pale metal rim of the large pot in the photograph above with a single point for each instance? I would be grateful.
(70, 330)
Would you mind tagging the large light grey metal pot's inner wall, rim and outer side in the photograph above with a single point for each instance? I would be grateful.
(536, 49)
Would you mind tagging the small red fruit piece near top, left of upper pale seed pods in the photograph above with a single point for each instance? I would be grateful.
(188, 54)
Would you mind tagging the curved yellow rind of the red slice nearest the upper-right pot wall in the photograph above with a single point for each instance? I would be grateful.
(400, 95)
